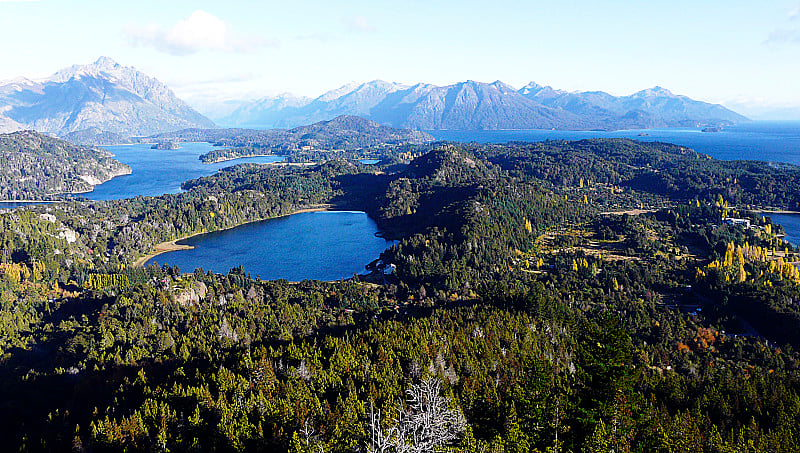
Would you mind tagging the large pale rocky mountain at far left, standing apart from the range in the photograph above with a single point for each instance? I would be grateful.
(103, 95)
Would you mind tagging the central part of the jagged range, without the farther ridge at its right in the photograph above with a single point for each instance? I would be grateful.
(467, 105)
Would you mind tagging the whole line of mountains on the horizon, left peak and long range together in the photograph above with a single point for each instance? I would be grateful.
(105, 102)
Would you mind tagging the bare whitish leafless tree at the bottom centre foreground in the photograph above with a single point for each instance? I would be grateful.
(426, 425)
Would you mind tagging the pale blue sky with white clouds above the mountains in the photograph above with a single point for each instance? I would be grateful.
(743, 54)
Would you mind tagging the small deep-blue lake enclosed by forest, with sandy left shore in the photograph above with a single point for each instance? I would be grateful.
(326, 245)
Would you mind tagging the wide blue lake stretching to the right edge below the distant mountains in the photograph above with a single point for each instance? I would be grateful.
(760, 140)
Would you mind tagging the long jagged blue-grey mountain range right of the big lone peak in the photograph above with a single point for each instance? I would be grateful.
(474, 105)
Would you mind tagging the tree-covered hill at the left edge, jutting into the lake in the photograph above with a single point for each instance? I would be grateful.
(39, 167)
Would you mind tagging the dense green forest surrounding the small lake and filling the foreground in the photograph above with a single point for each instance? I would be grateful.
(590, 296)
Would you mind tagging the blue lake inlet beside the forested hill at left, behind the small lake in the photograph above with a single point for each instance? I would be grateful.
(157, 172)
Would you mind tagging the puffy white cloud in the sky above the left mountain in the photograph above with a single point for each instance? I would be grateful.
(201, 31)
